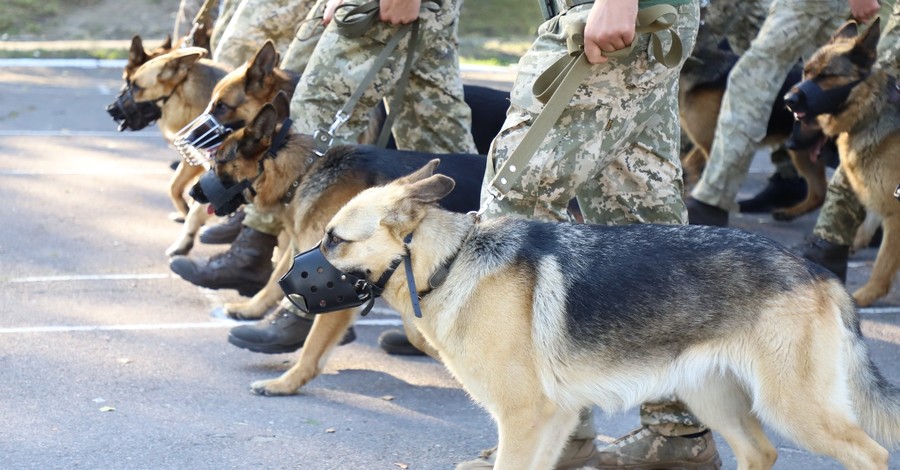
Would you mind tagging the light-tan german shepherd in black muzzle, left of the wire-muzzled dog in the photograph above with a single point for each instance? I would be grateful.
(170, 89)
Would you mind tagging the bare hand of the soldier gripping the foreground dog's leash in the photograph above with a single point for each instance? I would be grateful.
(610, 27)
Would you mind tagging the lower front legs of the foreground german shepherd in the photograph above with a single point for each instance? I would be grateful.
(532, 434)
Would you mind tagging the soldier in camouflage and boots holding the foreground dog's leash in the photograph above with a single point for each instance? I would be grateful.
(615, 149)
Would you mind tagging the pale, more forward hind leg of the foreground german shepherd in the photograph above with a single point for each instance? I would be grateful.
(721, 403)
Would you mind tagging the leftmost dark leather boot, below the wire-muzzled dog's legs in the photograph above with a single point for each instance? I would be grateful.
(246, 266)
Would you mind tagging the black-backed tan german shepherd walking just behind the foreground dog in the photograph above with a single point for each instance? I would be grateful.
(324, 185)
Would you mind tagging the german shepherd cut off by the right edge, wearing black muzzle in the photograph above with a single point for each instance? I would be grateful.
(858, 103)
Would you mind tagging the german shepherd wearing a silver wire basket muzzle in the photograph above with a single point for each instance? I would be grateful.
(235, 100)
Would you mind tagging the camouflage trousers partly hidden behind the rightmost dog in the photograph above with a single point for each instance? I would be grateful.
(842, 213)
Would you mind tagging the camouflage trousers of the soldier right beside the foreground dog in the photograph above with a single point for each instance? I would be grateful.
(615, 148)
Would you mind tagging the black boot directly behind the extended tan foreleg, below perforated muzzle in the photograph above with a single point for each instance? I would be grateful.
(281, 331)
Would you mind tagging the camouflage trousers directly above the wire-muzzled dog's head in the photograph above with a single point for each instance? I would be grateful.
(253, 23)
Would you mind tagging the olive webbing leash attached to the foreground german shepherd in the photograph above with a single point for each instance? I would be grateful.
(556, 86)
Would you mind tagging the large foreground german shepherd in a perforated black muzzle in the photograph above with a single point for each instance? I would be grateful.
(539, 320)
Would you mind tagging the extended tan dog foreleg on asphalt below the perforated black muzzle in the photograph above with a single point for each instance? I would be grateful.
(327, 330)
